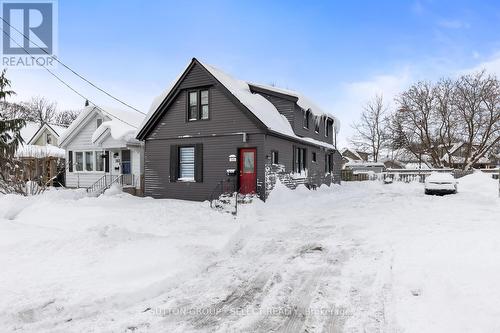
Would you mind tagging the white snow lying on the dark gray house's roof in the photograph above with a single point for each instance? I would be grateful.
(264, 110)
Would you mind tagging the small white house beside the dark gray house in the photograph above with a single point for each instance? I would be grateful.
(101, 149)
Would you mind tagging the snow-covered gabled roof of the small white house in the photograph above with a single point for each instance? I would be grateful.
(123, 124)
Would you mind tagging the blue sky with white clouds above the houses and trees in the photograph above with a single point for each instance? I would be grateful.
(338, 53)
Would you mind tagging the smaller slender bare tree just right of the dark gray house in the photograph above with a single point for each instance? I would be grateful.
(370, 131)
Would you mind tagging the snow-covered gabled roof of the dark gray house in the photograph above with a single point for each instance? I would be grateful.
(257, 105)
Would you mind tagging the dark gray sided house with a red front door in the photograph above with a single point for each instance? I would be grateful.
(210, 129)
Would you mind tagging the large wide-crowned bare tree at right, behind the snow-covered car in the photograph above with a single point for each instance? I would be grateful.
(431, 118)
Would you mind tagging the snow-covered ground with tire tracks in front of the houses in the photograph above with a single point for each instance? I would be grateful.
(361, 257)
